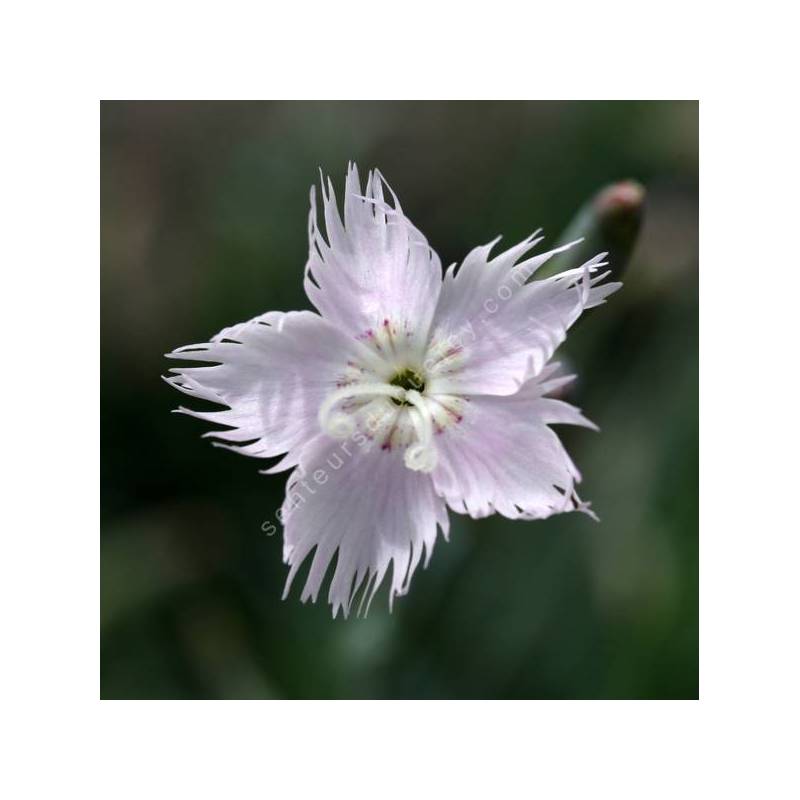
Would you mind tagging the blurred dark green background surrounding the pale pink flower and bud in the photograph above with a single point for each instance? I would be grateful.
(204, 210)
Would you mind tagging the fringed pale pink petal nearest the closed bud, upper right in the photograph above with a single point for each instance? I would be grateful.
(504, 328)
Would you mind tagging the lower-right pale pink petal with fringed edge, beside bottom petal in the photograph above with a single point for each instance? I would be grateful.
(503, 458)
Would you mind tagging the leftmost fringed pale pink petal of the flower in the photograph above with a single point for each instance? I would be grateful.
(274, 373)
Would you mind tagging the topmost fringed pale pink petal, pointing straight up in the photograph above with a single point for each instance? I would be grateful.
(376, 266)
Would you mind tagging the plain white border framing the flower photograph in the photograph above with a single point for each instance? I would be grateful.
(61, 740)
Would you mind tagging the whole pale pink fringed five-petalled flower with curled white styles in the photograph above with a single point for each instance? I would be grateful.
(409, 393)
